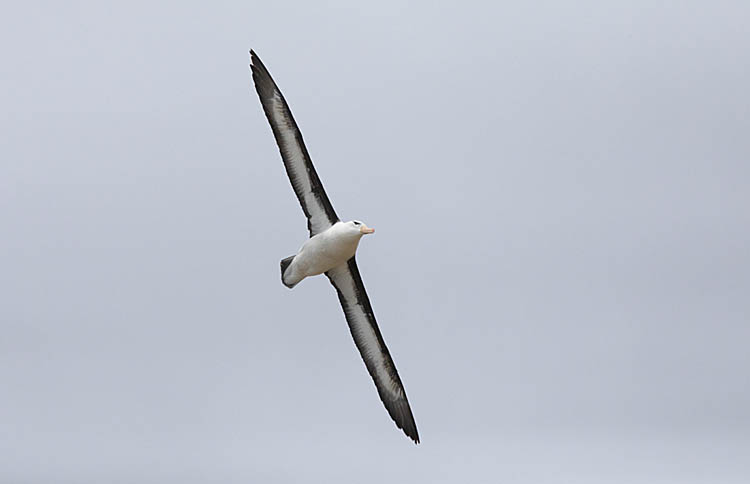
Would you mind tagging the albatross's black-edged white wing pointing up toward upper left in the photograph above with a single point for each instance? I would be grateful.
(318, 209)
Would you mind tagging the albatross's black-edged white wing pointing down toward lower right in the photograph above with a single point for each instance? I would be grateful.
(348, 283)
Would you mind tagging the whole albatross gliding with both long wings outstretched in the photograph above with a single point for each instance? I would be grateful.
(331, 250)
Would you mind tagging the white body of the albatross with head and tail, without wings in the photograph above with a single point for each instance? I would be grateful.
(324, 251)
